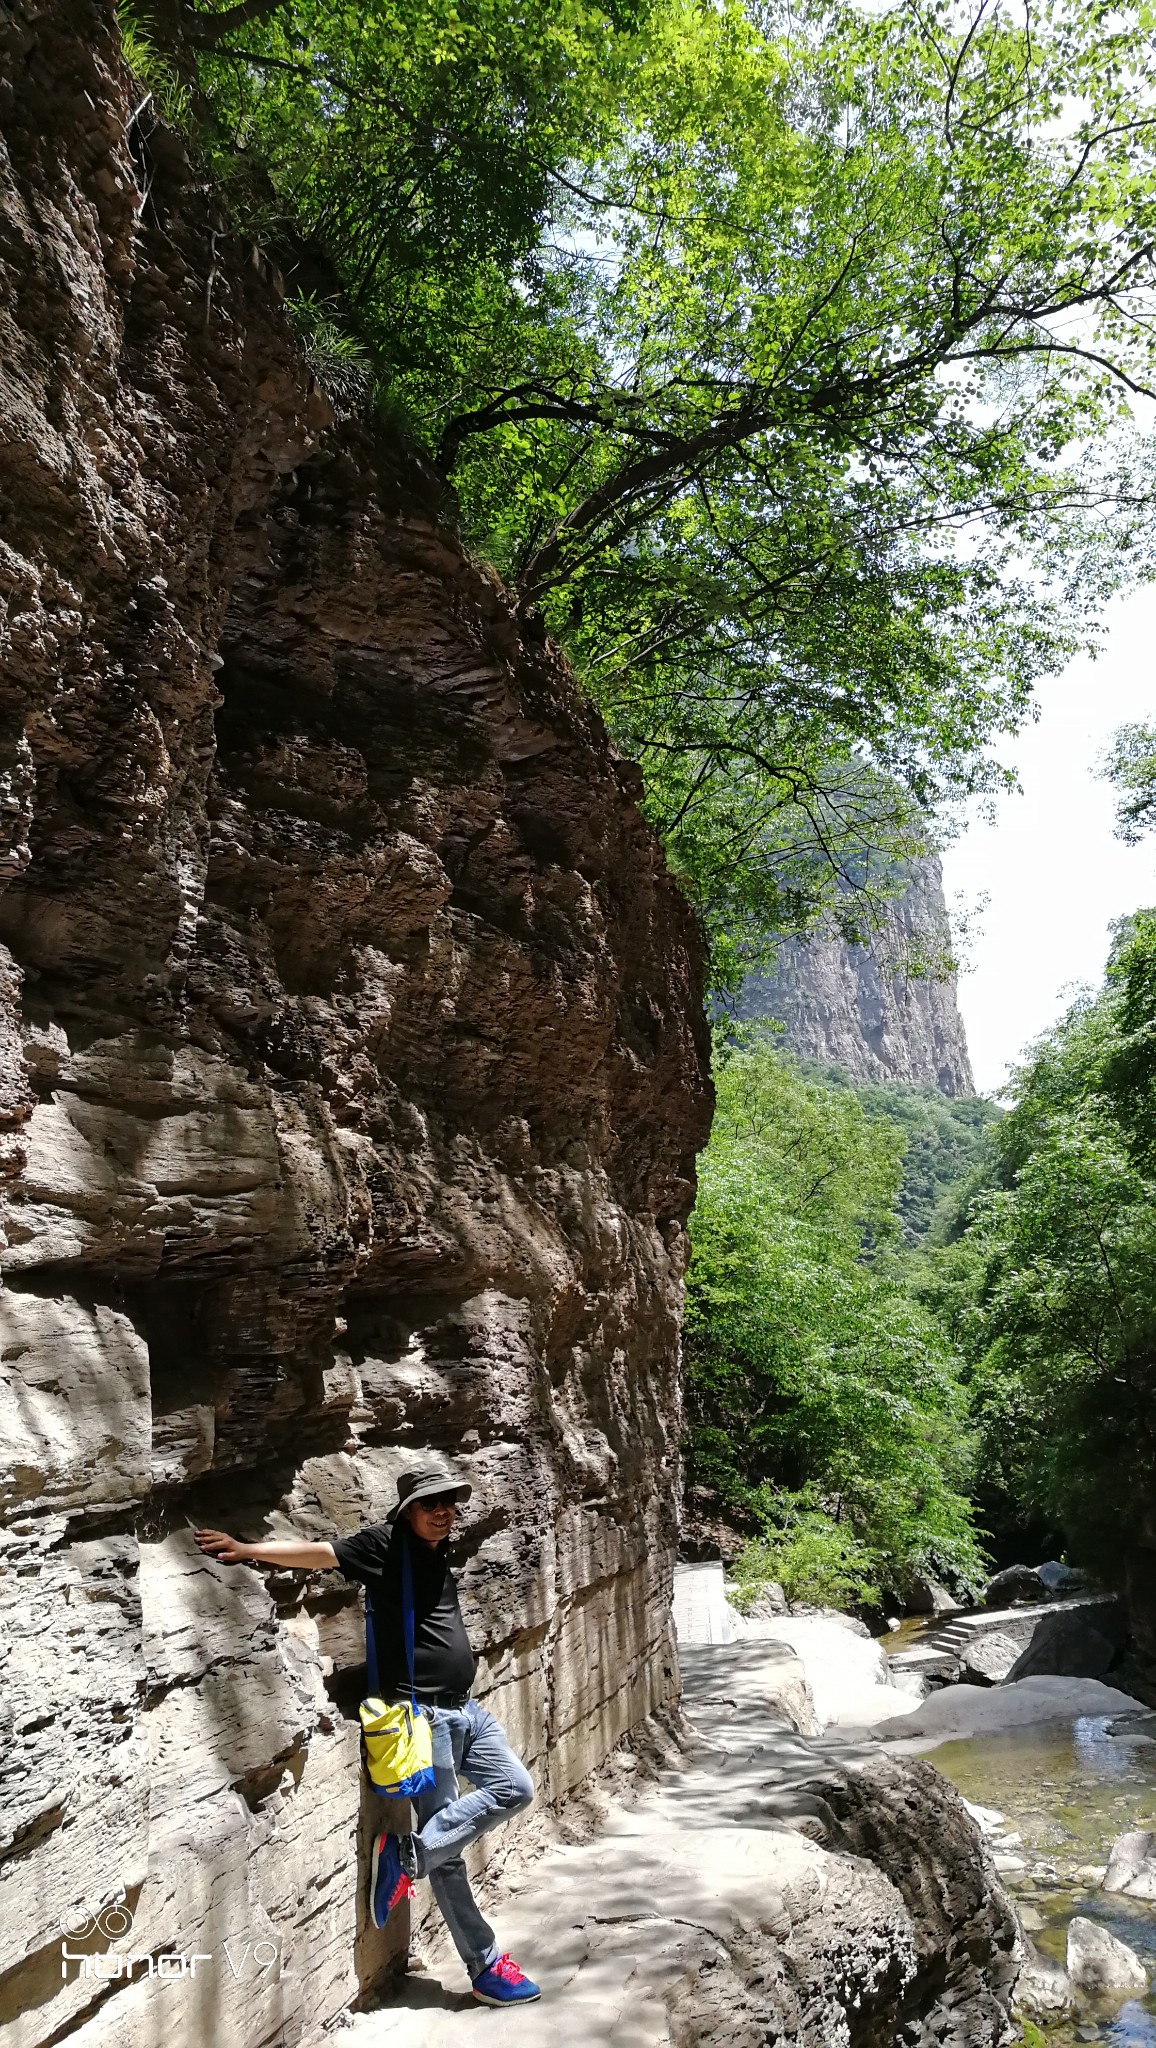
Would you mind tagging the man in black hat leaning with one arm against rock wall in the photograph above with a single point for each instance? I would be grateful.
(466, 1740)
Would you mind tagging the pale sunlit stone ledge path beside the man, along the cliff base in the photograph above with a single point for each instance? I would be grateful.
(706, 1912)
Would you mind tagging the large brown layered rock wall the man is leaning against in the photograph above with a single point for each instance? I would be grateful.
(354, 1076)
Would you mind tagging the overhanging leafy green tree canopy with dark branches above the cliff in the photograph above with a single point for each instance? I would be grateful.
(774, 357)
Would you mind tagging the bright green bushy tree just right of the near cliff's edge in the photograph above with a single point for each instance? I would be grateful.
(819, 1394)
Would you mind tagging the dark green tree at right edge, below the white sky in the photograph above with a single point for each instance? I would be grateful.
(1063, 1271)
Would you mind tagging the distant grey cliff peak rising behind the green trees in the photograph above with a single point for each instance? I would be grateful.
(852, 1009)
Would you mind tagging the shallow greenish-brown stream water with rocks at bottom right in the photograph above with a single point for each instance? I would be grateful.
(1067, 1791)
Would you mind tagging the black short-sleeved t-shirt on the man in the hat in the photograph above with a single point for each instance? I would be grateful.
(444, 1660)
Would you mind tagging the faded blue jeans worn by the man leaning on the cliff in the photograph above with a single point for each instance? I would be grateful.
(466, 1742)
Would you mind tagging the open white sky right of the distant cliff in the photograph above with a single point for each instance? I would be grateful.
(1050, 867)
